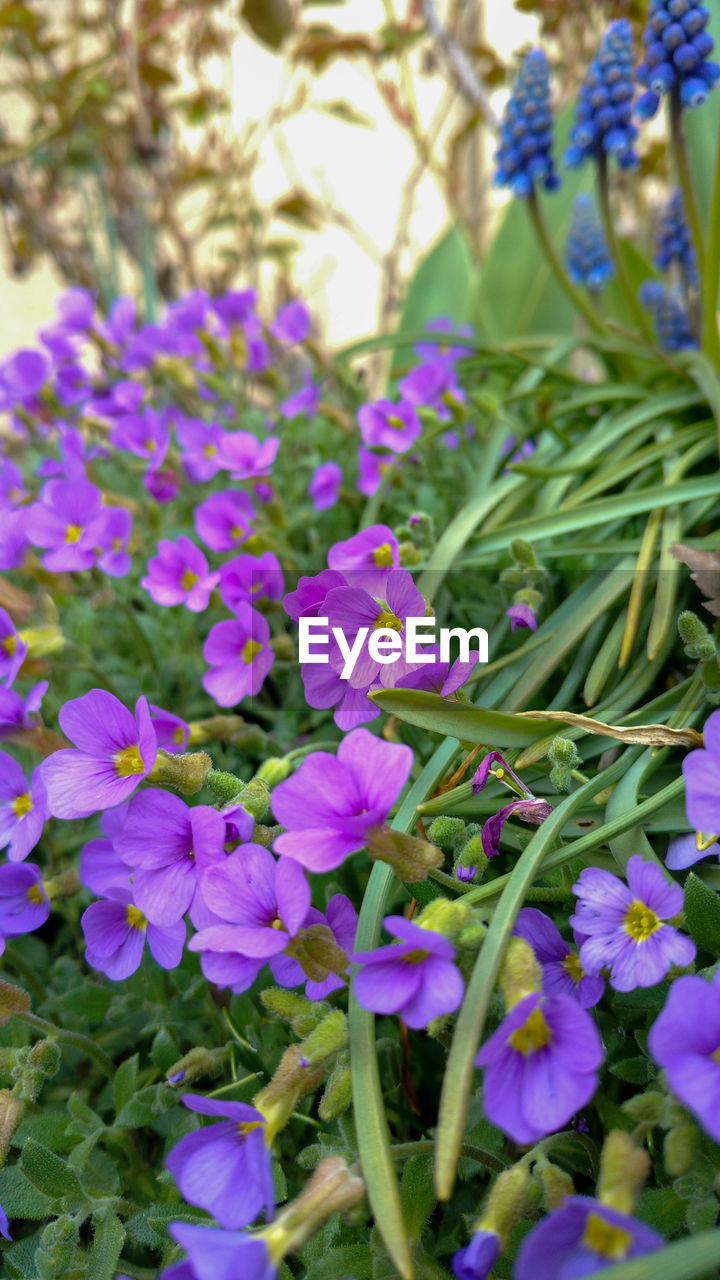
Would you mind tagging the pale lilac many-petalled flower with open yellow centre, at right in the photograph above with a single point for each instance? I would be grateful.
(625, 925)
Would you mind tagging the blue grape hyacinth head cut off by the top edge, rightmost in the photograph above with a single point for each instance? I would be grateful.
(677, 51)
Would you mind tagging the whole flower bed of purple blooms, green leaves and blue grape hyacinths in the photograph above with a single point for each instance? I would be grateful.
(363, 968)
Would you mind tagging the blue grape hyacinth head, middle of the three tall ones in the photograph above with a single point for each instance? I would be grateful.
(603, 124)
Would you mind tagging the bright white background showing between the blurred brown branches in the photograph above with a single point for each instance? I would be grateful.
(359, 171)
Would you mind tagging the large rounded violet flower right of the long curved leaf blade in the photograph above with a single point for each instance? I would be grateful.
(541, 1067)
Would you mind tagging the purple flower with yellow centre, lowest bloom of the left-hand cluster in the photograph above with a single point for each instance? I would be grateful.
(116, 932)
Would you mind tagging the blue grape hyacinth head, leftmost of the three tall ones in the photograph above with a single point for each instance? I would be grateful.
(525, 156)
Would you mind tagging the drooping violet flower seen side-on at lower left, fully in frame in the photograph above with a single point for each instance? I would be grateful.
(225, 1168)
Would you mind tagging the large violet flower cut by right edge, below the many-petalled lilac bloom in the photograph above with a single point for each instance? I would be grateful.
(685, 1041)
